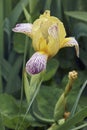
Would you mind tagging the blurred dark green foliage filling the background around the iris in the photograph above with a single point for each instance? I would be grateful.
(15, 50)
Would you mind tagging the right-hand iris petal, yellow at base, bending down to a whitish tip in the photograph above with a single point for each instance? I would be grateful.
(70, 42)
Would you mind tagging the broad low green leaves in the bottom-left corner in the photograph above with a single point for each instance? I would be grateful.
(10, 113)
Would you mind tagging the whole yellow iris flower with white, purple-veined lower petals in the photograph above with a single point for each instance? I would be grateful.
(48, 37)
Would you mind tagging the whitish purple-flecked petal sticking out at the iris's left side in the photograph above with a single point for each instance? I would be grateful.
(25, 28)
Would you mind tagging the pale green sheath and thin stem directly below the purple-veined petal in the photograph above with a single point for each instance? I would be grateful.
(33, 89)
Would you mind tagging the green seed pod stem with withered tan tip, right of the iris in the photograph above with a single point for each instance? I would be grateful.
(61, 103)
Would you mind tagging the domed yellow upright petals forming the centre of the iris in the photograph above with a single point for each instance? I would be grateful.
(48, 33)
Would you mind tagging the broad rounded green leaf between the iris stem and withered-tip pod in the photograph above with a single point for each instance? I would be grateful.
(43, 107)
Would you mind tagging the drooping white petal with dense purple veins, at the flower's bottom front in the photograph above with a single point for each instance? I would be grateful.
(36, 63)
